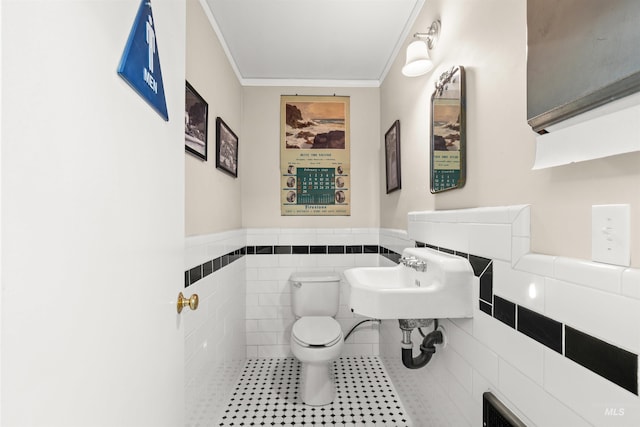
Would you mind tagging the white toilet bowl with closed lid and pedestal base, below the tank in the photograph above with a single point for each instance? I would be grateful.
(316, 341)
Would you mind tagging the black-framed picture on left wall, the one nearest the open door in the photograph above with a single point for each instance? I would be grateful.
(196, 116)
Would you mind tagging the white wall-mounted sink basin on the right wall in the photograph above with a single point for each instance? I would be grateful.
(443, 290)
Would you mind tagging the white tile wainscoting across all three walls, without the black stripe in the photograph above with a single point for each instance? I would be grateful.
(245, 312)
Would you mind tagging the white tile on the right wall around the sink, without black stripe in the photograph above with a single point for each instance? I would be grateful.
(542, 387)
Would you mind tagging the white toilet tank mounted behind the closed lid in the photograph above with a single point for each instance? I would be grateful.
(315, 293)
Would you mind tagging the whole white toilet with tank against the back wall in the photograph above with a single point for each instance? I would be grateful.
(316, 337)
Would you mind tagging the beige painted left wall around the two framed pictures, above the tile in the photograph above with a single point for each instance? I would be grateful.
(212, 198)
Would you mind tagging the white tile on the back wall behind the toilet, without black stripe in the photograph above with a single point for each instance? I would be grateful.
(268, 298)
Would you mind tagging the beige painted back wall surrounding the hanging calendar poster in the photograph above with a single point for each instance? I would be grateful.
(260, 158)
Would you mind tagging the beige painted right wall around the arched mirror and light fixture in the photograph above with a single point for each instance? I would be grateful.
(489, 39)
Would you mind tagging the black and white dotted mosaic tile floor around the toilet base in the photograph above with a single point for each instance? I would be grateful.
(267, 395)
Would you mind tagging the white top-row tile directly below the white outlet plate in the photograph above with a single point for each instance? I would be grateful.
(596, 275)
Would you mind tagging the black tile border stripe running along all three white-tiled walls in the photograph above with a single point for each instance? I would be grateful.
(606, 360)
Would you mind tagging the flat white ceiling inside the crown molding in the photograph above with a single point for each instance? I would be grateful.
(312, 42)
